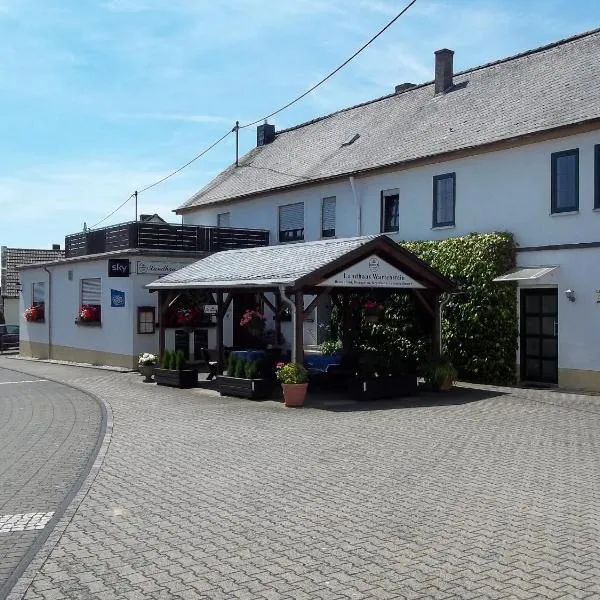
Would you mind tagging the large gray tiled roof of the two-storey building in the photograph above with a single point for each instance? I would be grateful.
(546, 88)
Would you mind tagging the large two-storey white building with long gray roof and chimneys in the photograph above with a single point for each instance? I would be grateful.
(509, 146)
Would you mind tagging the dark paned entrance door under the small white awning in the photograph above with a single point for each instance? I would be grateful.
(539, 336)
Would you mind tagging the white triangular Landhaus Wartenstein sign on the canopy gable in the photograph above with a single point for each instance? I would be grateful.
(372, 272)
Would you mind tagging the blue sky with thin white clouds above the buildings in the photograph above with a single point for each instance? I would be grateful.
(101, 97)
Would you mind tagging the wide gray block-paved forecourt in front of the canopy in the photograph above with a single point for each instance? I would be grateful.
(490, 493)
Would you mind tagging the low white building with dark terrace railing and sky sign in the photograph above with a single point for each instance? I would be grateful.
(106, 270)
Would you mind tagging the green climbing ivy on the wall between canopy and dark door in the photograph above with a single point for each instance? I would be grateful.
(480, 326)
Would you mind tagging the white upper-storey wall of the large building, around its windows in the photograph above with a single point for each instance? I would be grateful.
(507, 190)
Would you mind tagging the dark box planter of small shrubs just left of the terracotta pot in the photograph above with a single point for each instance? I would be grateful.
(245, 379)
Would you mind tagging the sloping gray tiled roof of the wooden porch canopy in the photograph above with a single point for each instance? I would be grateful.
(267, 266)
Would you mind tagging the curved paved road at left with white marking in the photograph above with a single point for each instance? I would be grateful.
(47, 433)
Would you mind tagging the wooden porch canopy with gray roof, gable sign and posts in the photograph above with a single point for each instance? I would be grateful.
(292, 271)
